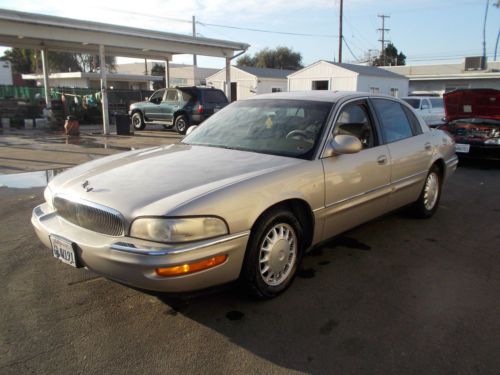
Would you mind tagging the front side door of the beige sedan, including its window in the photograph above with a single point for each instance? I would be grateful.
(356, 185)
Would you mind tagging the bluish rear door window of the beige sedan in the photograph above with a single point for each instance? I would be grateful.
(394, 122)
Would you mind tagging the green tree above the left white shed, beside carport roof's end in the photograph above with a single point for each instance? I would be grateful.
(278, 58)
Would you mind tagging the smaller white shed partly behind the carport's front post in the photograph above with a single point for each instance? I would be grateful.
(248, 81)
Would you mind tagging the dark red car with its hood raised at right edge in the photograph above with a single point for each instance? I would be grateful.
(473, 117)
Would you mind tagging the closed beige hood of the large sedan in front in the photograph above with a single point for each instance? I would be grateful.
(135, 182)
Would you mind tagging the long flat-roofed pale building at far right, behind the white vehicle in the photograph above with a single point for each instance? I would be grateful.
(436, 79)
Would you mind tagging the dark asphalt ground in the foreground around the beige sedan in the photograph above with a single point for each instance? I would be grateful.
(394, 296)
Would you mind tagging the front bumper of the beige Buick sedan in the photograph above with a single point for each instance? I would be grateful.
(133, 262)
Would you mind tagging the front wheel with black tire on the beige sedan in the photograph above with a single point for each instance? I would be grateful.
(253, 273)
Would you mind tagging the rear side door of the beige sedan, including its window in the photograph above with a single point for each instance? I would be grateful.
(409, 148)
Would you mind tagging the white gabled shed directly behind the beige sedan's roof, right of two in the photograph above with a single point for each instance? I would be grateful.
(327, 75)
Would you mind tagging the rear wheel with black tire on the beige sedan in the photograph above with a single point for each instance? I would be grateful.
(427, 205)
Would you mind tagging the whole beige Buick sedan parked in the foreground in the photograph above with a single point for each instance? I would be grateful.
(247, 193)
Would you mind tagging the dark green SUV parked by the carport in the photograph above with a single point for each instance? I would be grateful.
(178, 107)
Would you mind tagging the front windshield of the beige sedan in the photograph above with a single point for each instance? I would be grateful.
(278, 127)
